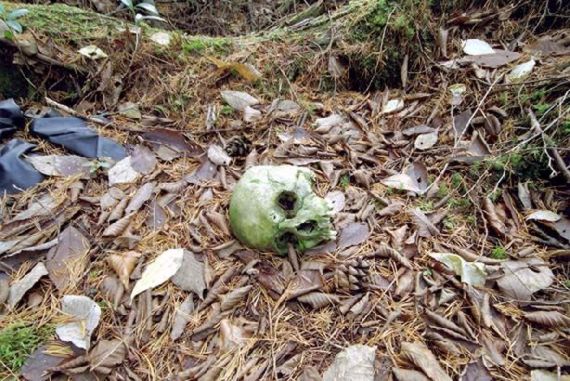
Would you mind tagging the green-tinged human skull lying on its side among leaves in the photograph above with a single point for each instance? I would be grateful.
(273, 206)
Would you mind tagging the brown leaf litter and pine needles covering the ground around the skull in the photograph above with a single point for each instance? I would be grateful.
(449, 262)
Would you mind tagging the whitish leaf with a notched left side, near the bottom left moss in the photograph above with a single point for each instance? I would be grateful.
(84, 314)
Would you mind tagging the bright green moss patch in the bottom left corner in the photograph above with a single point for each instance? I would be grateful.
(18, 341)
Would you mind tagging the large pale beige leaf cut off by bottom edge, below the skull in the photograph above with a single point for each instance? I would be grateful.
(355, 363)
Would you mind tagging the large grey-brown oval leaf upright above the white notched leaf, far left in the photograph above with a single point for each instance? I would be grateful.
(66, 261)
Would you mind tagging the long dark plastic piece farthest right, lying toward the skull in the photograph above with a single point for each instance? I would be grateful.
(74, 134)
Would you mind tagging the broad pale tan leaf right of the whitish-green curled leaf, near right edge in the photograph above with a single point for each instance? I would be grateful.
(524, 278)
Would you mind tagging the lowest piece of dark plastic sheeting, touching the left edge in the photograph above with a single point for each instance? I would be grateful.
(15, 173)
